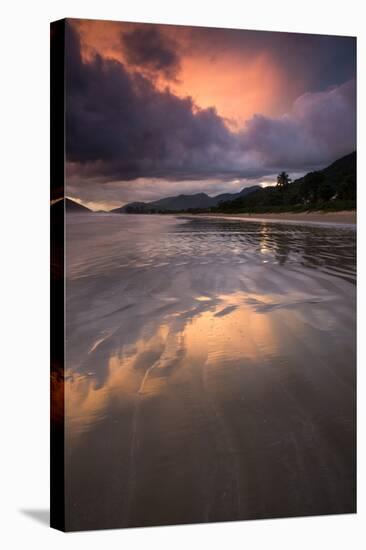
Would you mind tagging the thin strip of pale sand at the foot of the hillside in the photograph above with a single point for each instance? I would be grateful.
(343, 217)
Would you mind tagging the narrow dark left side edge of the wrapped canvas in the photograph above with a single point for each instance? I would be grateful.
(57, 225)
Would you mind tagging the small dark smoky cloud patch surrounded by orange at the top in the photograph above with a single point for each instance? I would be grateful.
(147, 48)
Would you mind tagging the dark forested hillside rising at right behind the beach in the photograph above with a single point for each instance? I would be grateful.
(333, 188)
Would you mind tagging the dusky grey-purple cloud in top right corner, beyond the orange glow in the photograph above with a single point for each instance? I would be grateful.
(309, 61)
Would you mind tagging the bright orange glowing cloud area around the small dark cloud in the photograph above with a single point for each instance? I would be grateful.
(237, 84)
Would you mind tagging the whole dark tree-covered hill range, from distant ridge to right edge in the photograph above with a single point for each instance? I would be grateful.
(331, 189)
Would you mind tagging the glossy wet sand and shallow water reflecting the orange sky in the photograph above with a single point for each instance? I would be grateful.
(210, 370)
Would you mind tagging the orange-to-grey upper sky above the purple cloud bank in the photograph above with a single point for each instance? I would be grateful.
(239, 72)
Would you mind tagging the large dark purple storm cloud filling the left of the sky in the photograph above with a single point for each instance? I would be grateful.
(124, 127)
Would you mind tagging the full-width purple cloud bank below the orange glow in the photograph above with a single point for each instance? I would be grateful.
(121, 127)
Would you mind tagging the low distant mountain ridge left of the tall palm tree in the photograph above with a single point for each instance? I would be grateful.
(182, 202)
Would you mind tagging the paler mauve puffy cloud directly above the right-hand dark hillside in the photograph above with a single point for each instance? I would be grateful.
(320, 128)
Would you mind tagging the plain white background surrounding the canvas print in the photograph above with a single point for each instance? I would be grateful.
(24, 306)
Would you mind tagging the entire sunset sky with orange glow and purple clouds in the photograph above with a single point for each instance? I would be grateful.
(159, 110)
